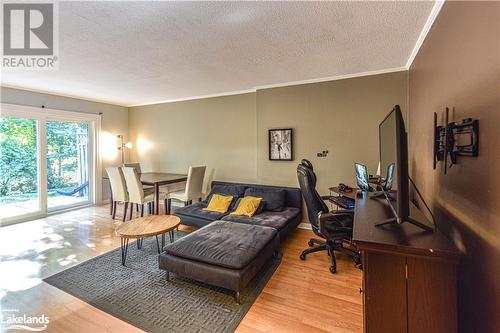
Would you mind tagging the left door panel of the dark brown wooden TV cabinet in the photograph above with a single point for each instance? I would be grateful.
(385, 305)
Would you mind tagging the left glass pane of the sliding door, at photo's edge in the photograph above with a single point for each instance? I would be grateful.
(19, 179)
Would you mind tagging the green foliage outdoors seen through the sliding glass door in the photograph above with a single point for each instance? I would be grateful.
(18, 151)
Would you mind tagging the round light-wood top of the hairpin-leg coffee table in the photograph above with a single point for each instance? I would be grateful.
(147, 226)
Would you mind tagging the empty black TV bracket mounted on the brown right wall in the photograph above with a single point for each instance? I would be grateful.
(455, 139)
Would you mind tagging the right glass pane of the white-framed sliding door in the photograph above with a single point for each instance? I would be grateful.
(67, 164)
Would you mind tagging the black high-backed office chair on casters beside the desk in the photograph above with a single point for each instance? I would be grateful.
(334, 227)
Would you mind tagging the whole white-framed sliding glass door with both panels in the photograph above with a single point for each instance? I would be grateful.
(47, 161)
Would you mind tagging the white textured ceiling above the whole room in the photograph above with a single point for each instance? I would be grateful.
(131, 53)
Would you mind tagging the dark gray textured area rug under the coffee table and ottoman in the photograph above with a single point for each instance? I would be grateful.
(139, 294)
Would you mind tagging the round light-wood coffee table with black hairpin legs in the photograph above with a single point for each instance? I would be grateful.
(148, 226)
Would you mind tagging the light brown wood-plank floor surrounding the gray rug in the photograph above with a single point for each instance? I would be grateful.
(302, 296)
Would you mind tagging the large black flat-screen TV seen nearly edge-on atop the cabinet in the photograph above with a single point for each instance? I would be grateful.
(394, 158)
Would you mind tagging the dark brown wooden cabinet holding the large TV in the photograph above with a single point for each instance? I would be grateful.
(409, 275)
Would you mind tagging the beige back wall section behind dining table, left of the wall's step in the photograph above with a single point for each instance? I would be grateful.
(219, 132)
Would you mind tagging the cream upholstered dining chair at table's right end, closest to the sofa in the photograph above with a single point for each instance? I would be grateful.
(193, 190)
